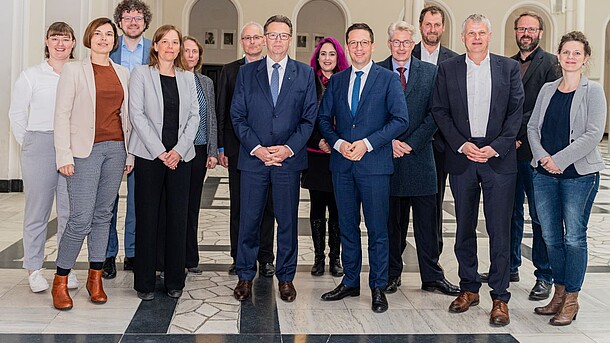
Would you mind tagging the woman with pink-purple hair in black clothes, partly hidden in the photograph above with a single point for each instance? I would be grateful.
(328, 58)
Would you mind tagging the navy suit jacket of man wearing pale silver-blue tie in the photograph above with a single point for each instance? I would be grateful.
(257, 122)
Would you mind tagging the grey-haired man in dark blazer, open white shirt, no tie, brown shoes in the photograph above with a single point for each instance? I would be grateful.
(478, 106)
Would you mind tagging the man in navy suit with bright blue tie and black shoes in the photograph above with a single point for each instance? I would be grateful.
(362, 110)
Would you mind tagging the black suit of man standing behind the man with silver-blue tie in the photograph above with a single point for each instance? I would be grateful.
(229, 141)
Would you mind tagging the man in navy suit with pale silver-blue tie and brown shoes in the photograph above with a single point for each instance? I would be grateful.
(273, 113)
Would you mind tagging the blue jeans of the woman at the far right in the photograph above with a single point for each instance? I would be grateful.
(564, 207)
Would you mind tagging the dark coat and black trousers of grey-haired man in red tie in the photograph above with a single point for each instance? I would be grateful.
(413, 184)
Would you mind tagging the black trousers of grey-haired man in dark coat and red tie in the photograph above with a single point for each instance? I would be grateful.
(424, 230)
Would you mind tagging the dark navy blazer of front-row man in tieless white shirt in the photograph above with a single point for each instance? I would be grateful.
(450, 110)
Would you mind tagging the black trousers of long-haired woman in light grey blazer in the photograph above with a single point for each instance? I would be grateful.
(160, 190)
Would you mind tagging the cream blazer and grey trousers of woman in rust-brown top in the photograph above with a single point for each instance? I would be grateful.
(98, 166)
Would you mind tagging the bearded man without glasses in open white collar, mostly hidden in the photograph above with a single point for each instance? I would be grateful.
(432, 26)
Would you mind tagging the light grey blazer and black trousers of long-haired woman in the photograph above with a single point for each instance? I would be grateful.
(153, 178)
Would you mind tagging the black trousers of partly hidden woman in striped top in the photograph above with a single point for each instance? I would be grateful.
(198, 170)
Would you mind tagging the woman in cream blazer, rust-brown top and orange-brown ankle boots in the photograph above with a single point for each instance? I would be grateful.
(91, 136)
